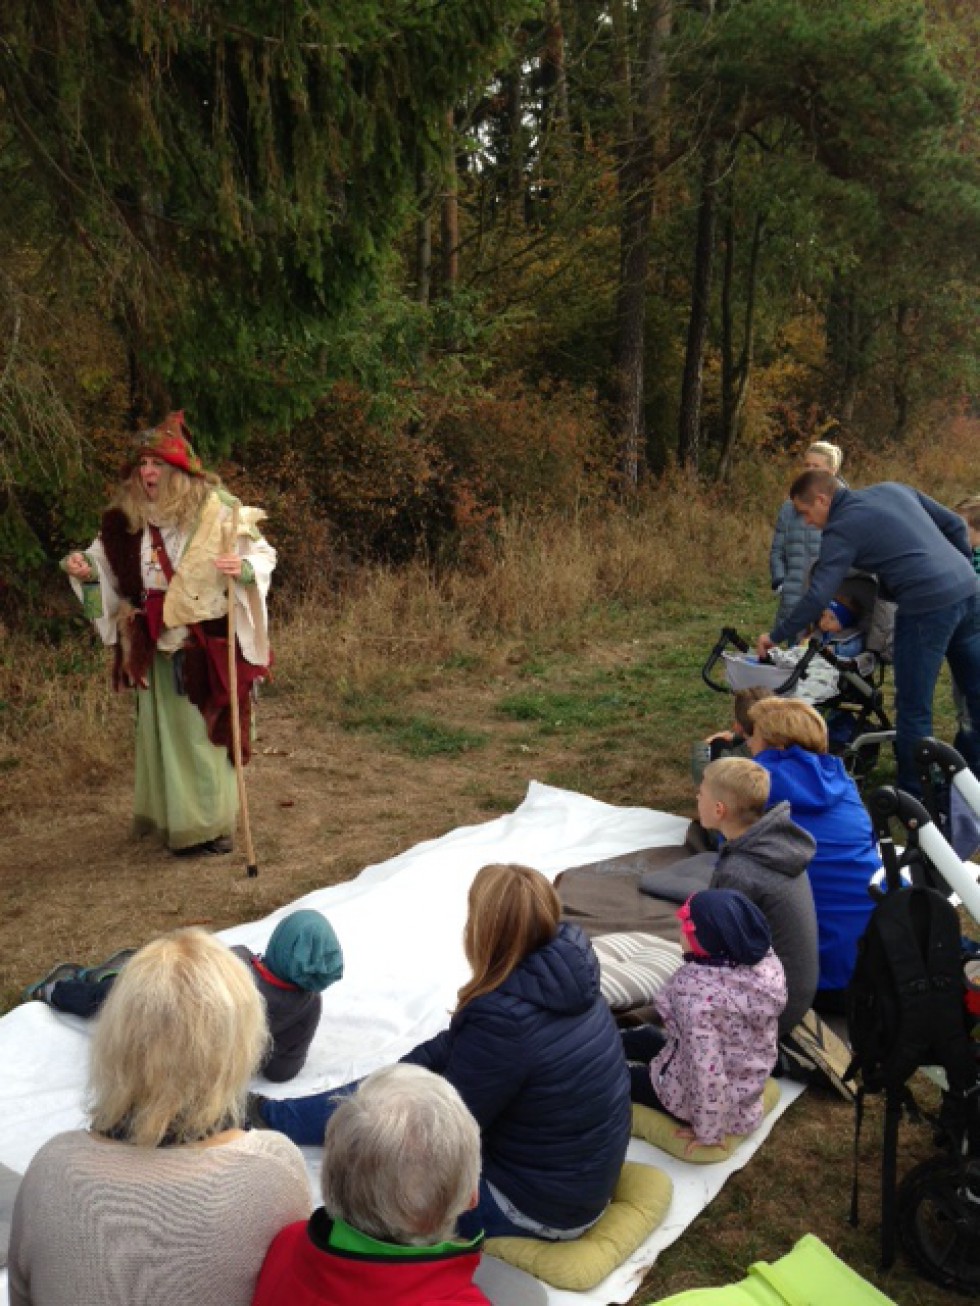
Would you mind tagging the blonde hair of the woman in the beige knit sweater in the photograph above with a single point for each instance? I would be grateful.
(177, 1042)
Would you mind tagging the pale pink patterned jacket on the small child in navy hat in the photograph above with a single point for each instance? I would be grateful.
(721, 1026)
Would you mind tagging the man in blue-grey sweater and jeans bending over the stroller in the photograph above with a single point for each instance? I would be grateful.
(921, 553)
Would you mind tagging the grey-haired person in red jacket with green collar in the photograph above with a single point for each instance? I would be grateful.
(400, 1164)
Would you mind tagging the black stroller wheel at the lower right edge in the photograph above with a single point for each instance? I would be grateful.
(939, 1219)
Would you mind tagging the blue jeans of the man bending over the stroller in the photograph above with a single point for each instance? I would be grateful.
(922, 642)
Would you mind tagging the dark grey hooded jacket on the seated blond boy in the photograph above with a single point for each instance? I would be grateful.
(769, 865)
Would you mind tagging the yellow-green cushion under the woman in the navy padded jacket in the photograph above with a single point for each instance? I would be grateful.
(640, 1205)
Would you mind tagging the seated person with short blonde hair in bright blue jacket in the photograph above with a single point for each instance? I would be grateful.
(790, 740)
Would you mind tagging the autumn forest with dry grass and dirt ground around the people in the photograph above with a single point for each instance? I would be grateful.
(517, 318)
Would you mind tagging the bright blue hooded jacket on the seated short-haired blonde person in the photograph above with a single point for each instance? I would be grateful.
(824, 800)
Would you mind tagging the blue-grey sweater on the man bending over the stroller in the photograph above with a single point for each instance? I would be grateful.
(918, 549)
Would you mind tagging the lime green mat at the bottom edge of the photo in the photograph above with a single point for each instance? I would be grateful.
(811, 1275)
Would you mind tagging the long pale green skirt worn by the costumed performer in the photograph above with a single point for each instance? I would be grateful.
(186, 788)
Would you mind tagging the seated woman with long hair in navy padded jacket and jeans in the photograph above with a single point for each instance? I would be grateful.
(534, 1053)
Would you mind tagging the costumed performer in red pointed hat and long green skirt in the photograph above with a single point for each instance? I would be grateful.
(155, 583)
